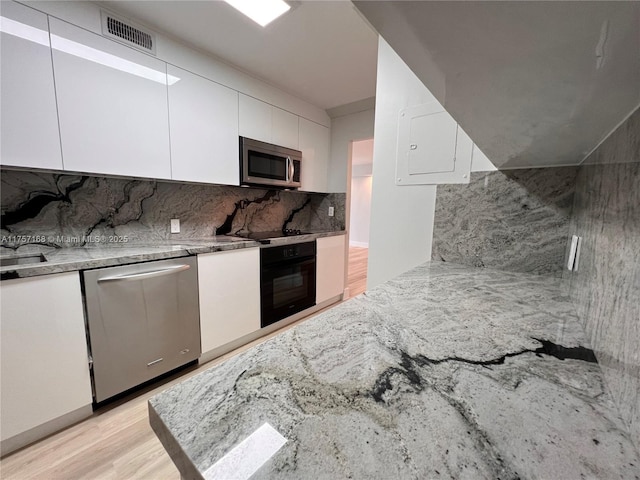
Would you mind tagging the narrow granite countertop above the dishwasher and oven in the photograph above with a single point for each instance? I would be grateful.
(107, 255)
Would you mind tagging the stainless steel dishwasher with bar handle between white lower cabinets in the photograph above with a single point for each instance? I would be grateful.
(143, 321)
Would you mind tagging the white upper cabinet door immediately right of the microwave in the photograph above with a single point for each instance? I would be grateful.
(314, 144)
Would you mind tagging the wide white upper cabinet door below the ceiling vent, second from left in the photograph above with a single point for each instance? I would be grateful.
(112, 105)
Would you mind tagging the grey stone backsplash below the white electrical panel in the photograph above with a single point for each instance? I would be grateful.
(515, 220)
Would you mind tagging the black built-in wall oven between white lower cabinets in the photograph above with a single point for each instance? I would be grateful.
(287, 280)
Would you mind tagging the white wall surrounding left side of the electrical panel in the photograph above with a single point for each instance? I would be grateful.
(401, 216)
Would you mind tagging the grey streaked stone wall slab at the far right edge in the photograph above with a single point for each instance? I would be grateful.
(606, 287)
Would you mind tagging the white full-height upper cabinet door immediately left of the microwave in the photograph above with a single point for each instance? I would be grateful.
(203, 124)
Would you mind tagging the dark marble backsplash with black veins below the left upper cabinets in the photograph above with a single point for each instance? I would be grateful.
(61, 210)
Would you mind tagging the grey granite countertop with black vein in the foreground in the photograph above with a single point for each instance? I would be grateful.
(446, 371)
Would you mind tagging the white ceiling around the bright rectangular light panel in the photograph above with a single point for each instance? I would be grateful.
(320, 51)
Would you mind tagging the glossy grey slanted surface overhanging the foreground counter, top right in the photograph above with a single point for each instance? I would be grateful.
(532, 83)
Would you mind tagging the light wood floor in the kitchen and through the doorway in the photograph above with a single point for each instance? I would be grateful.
(117, 443)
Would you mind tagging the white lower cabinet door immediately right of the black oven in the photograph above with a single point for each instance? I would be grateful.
(330, 267)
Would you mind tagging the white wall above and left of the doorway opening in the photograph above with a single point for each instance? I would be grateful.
(345, 129)
